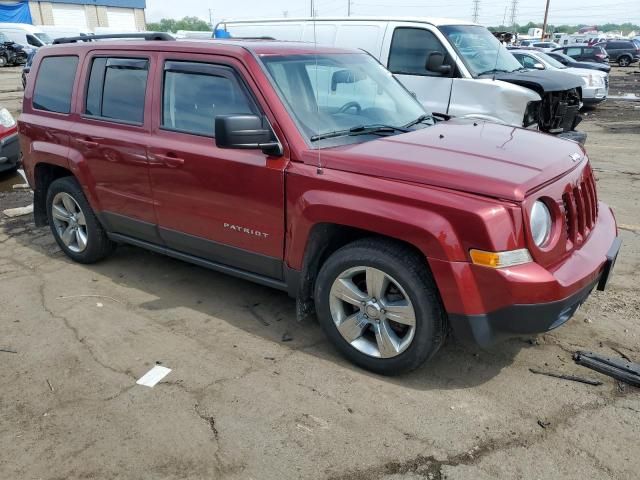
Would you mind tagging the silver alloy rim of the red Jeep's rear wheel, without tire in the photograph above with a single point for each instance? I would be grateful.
(70, 222)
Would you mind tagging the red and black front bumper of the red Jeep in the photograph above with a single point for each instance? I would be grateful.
(485, 305)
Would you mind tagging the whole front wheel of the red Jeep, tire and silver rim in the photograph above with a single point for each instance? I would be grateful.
(378, 304)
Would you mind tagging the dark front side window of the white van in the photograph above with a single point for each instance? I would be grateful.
(410, 48)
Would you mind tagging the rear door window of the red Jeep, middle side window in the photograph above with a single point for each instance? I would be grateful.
(117, 89)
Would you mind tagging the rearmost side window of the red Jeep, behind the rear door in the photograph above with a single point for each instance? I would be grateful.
(54, 84)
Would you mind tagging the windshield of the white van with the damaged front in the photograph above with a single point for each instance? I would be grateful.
(480, 51)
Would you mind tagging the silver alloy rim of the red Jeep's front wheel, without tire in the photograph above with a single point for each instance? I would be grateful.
(372, 312)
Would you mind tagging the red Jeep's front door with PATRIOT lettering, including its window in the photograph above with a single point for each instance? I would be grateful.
(223, 205)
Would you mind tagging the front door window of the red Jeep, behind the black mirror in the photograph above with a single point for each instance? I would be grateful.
(194, 94)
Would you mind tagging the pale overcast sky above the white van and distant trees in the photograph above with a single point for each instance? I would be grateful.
(491, 12)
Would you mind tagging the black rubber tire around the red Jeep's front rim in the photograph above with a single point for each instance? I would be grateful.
(409, 269)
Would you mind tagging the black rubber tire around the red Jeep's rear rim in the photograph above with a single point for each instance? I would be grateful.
(98, 244)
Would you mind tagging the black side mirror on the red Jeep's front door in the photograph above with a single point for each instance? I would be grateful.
(246, 132)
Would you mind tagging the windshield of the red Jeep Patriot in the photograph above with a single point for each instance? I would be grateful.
(329, 93)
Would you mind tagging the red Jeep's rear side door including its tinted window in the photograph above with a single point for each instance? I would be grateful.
(111, 136)
